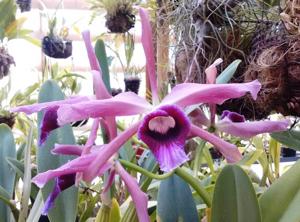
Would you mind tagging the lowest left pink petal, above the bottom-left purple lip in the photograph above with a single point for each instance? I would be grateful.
(77, 165)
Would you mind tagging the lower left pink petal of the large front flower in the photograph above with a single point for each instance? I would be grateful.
(108, 150)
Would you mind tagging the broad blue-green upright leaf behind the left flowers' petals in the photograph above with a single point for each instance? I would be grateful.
(66, 204)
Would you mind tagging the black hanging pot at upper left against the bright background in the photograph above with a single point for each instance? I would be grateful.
(56, 47)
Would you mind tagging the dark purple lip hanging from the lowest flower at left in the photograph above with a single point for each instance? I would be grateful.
(61, 183)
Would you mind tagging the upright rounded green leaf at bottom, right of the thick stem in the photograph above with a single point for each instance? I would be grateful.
(234, 197)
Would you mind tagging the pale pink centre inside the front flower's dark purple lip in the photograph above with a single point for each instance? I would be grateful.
(161, 124)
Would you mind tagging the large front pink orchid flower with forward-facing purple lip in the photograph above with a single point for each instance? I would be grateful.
(160, 120)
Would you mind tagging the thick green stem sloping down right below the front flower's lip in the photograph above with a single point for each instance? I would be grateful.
(196, 185)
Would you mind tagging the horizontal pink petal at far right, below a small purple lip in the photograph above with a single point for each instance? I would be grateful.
(250, 129)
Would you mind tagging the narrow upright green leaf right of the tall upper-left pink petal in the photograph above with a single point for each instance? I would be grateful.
(102, 58)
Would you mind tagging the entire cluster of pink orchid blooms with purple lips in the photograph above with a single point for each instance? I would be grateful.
(164, 126)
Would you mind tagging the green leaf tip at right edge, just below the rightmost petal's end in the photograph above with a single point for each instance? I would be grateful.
(289, 138)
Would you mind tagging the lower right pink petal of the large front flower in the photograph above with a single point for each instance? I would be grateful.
(228, 150)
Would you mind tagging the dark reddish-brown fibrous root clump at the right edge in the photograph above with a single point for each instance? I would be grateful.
(278, 70)
